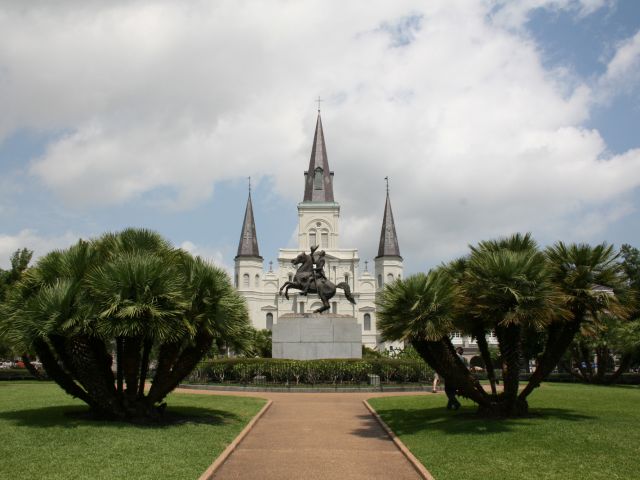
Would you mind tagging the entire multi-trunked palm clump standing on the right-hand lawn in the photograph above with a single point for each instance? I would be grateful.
(509, 286)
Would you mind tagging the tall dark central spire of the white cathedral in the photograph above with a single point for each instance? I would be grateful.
(318, 186)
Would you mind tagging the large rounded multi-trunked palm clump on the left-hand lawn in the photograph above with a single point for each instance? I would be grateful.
(131, 289)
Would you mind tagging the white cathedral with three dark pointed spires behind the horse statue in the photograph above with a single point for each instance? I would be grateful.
(318, 224)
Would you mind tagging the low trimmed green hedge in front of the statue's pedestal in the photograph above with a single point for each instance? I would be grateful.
(310, 372)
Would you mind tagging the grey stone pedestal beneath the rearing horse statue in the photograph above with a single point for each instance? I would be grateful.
(310, 336)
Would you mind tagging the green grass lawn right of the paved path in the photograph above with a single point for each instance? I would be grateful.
(576, 432)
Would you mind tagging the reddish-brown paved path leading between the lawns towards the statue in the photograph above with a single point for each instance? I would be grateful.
(315, 436)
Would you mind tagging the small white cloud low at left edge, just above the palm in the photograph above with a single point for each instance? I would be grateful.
(32, 240)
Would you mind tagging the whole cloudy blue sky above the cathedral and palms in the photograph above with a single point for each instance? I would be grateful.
(489, 117)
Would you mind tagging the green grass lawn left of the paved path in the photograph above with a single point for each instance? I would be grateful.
(40, 437)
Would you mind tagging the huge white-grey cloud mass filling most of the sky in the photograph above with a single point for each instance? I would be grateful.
(444, 97)
